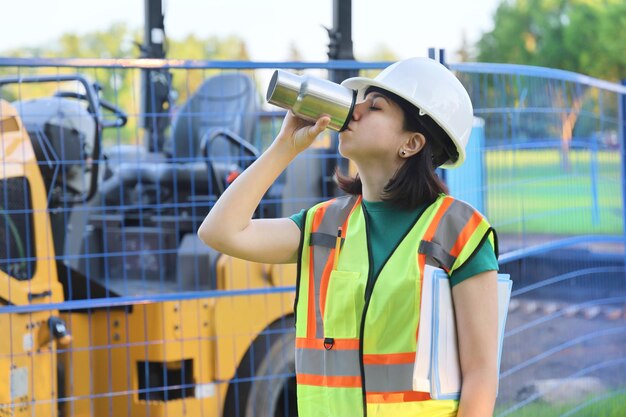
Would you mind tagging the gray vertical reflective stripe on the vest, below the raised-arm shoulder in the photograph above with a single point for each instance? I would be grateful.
(334, 216)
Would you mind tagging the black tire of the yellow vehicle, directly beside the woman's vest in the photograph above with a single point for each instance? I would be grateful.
(269, 391)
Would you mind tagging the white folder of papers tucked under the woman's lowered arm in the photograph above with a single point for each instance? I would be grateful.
(437, 368)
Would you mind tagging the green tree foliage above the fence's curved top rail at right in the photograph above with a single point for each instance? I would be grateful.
(578, 35)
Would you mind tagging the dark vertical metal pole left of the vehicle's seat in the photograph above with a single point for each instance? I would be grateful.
(155, 82)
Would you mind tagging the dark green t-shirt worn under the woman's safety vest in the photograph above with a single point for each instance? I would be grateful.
(387, 224)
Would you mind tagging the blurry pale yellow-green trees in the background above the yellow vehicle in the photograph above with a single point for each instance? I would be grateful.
(121, 86)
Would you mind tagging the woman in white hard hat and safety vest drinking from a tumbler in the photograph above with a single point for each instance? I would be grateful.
(361, 257)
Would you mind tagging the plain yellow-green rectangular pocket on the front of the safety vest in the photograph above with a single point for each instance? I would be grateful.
(340, 308)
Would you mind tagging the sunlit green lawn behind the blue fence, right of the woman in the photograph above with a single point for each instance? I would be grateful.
(531, 191)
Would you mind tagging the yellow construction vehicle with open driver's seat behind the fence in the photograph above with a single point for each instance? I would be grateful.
(109, 303)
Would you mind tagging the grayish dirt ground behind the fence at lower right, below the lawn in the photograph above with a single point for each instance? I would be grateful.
(587, 344)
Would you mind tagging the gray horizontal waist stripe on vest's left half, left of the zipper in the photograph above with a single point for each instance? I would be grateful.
(328, 362)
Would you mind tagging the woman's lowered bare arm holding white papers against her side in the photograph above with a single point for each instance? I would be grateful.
(476, 310)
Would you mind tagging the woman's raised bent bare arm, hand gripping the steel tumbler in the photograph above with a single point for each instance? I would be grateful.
(229, 227)
